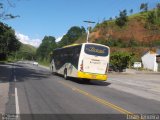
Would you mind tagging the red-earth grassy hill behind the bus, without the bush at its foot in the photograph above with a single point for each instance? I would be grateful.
(140, 33)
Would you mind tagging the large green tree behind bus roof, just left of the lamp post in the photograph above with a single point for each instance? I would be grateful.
(72, 35)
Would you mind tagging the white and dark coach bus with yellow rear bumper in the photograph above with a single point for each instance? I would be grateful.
(86, 61)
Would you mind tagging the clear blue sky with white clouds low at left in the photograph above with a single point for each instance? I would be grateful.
(39, 18)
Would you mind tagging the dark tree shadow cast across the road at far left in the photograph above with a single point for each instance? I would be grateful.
(21, 72)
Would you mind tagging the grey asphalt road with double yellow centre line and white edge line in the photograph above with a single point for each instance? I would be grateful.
(37, 94)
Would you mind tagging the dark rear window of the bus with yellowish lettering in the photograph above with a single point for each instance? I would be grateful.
(96, 50)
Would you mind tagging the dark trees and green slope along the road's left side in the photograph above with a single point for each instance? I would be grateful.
(11, 48)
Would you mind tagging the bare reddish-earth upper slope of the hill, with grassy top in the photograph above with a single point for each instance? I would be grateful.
(137, 28)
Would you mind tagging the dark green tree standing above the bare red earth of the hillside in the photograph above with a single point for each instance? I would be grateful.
(122, 19)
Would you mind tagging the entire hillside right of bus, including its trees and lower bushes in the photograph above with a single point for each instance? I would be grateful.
(128, 35)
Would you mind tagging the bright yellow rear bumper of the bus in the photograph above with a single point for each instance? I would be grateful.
(92, 76)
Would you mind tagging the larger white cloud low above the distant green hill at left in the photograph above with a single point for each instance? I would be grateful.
(26, 40)
